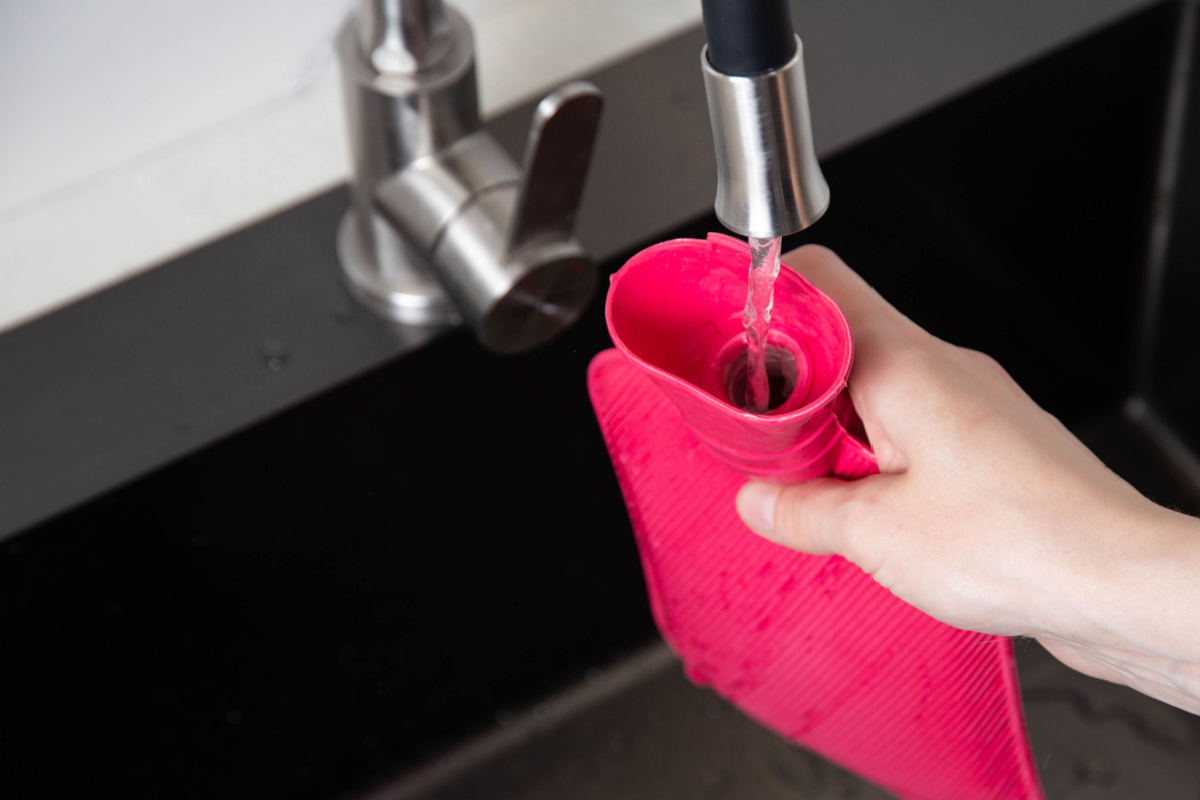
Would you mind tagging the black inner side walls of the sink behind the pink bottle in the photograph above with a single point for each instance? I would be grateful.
(343, 592)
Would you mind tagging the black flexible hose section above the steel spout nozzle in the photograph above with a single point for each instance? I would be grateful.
(748, 38)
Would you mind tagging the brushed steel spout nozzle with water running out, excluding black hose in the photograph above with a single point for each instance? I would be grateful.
(769, 181)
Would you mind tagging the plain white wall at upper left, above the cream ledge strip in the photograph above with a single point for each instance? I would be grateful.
(88, 85)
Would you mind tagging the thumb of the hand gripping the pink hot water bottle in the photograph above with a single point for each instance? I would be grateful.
(824, 518)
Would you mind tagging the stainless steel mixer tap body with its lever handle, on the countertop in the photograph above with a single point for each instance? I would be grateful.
(445, 227)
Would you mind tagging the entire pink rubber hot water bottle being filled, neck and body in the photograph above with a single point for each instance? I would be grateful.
(809, 646)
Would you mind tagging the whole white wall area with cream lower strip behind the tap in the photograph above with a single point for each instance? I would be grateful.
(135, 130)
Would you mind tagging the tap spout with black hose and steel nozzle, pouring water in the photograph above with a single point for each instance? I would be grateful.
(770, 183)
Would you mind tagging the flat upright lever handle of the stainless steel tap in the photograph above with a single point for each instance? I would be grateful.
(556, 165)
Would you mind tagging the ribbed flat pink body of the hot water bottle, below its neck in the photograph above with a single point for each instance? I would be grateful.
(812, 647)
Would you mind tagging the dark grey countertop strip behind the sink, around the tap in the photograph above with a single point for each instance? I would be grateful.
(133, 378)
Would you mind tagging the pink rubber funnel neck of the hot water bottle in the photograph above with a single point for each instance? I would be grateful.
(675, 310)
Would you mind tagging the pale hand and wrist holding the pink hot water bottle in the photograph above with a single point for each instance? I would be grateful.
(988, 514)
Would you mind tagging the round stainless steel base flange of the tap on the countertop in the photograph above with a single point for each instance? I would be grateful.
(391, 284)
